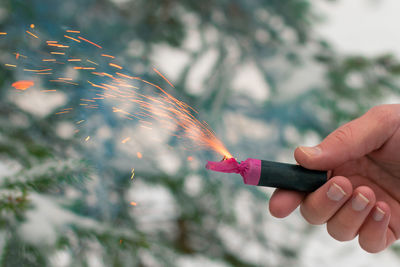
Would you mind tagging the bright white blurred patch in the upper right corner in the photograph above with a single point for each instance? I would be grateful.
(362, 26)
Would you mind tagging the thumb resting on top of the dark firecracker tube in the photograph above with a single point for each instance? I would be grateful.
(352, 140)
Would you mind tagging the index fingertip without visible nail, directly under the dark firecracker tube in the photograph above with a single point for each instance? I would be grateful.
(283, 202)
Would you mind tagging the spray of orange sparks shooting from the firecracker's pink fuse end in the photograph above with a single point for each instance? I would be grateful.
(133, 97)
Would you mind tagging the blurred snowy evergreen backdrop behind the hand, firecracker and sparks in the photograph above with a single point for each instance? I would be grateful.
(266, 75)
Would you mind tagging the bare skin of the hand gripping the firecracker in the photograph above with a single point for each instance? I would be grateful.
(363, 157)
